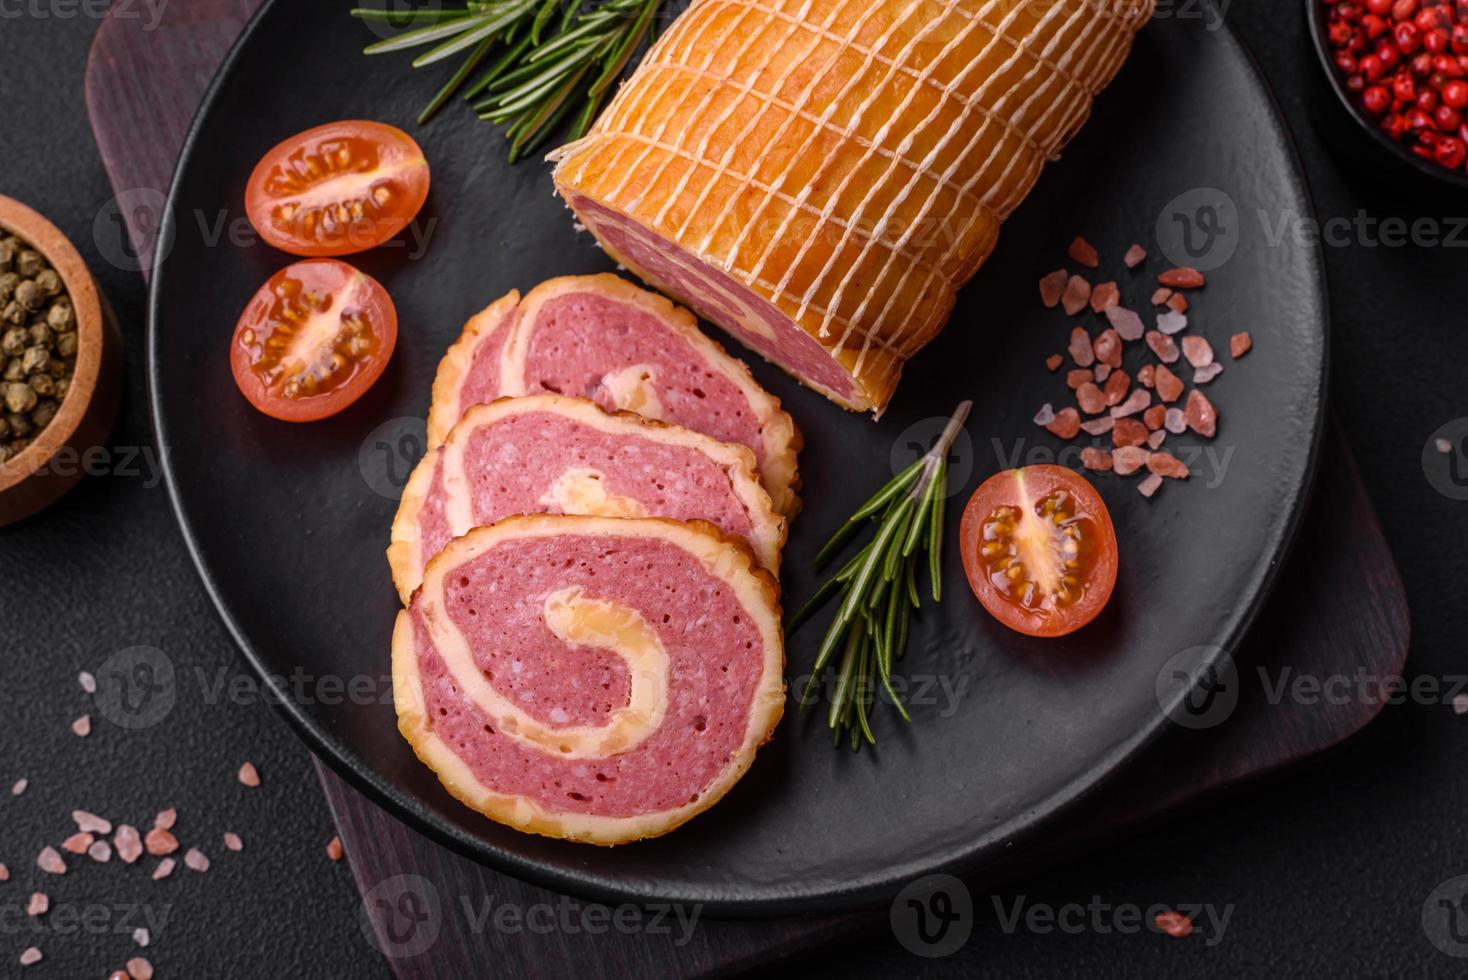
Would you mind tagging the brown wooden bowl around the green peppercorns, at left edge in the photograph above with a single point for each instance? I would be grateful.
(30, 482)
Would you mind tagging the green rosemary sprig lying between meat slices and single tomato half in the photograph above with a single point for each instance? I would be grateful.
(879, 589)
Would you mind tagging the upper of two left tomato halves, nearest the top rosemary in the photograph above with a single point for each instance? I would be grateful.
(338, 190)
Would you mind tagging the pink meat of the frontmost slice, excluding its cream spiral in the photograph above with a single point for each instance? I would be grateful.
(716, 658)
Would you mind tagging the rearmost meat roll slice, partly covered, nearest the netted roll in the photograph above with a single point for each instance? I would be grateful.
(625, 348)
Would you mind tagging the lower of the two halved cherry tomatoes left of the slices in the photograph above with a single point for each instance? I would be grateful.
(313, 341)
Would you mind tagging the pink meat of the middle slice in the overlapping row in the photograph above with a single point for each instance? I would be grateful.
(513, 463)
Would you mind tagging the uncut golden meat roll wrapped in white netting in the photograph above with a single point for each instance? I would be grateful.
(820, 177)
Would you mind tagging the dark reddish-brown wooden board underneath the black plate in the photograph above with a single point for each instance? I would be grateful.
(1344, 612)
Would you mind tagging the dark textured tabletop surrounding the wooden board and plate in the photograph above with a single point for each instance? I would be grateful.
(1326, 868)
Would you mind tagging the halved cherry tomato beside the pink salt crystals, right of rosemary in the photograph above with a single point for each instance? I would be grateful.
(1040, 549)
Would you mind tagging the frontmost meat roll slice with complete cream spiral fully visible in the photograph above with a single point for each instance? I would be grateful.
(598, 680)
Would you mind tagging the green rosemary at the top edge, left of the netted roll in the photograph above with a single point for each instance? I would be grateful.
(551, 58)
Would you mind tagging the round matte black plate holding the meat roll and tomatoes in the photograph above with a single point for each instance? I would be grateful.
(288, 523)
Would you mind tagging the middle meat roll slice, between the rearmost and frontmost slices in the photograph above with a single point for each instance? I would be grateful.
(550, 454)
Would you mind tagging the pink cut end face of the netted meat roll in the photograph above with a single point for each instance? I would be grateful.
(707, 288)
